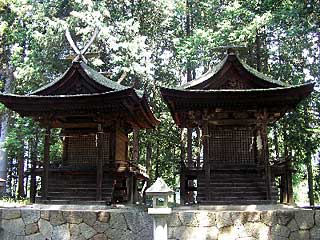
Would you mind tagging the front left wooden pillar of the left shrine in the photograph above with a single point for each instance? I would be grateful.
(46, 163)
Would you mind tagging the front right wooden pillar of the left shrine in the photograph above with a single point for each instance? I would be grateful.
(99, 164)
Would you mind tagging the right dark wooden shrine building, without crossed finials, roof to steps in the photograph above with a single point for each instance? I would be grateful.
(232, 105)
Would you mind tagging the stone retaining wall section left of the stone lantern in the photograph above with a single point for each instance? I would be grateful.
(31, 224)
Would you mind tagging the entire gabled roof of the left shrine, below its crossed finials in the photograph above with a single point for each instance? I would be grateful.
(83, 91)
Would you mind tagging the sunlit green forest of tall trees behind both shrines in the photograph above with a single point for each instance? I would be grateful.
(147, 44)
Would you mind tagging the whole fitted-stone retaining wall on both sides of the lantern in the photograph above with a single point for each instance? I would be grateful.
(127, 224)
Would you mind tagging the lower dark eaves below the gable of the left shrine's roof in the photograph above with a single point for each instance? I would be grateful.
(125, 104)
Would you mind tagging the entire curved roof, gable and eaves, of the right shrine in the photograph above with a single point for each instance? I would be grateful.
(232, 86)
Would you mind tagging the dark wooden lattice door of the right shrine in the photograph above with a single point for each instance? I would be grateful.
(231, 146)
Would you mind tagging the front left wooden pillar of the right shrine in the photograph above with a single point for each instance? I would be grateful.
(205, 131)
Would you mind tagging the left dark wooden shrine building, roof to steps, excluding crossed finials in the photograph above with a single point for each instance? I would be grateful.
(95, 115)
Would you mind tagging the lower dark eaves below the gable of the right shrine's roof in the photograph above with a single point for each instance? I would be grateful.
(183, 103)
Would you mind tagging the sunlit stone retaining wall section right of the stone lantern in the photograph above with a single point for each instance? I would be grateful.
(292, 224)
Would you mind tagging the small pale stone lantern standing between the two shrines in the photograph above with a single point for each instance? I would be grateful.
(160, 210)
